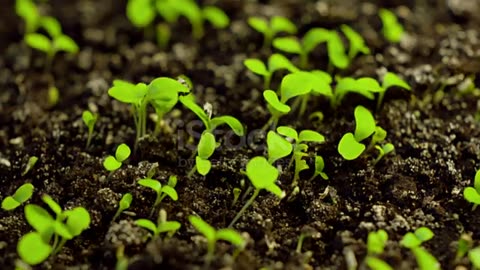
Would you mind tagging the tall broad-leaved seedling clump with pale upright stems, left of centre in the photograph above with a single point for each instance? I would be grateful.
(162, 93)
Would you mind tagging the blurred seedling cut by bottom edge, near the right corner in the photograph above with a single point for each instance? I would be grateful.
(413, 241)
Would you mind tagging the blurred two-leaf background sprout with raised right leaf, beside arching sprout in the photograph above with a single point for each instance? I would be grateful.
(310, 40)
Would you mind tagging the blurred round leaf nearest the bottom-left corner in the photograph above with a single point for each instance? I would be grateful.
(32, 249)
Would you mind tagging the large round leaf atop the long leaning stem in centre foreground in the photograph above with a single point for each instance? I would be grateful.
(261, 173)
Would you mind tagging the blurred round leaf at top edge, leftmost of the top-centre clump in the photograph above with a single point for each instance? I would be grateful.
(140, 12)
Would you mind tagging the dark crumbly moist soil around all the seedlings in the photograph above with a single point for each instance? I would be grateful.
(434, 130)
